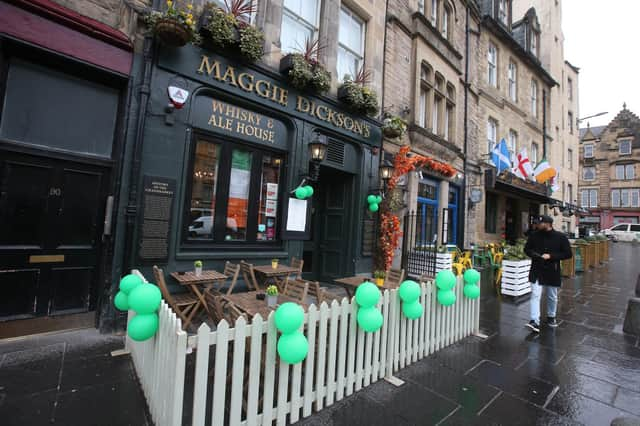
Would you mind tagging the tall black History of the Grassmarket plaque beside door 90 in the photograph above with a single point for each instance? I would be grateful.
(157, 205)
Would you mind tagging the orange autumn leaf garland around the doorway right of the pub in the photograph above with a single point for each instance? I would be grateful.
(390, 232)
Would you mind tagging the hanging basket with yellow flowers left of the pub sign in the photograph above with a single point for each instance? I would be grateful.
(175, 26)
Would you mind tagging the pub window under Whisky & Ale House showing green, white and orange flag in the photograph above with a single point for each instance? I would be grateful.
(234, 194)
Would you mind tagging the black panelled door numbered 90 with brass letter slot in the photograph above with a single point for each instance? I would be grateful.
(51, 215)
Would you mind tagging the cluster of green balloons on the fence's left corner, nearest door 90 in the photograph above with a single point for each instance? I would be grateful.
(142, 298)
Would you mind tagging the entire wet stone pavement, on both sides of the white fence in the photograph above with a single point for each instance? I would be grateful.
(584, 372)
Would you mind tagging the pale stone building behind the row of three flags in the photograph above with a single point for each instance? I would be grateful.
(514, 104)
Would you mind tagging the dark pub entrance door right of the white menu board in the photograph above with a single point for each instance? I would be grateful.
(333, 232)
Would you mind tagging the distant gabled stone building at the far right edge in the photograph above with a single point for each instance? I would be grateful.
(609, 184)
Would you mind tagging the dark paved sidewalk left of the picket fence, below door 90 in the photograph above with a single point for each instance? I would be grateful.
(69, 379)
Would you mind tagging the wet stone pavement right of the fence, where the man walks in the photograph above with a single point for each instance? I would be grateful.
(584, 372)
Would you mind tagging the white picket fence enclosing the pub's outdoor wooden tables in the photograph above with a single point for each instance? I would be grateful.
(252, 387)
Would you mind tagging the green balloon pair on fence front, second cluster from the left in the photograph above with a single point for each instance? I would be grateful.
(292, 345)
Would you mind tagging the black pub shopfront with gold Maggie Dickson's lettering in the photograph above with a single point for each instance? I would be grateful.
(217, 175)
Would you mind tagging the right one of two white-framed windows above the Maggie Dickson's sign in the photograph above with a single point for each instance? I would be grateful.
(350, 44)
